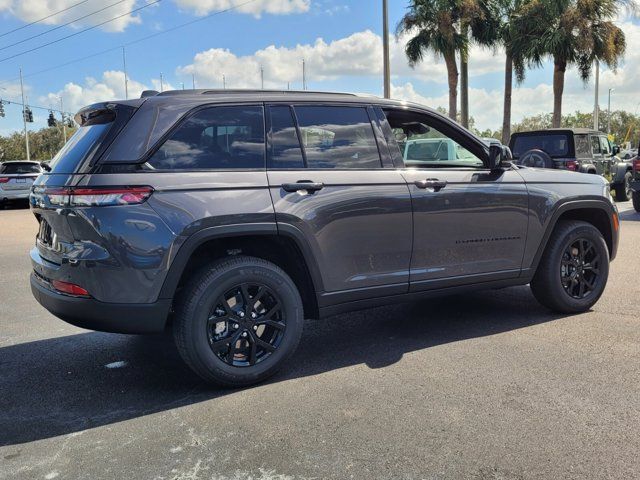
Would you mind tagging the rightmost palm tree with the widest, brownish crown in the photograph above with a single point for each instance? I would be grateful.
(570, 32)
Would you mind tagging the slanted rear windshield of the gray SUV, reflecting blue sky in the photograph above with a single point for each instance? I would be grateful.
(80, 146)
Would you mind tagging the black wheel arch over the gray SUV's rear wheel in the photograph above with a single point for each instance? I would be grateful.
(263, 240)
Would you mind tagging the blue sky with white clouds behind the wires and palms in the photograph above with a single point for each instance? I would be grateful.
(339, 40)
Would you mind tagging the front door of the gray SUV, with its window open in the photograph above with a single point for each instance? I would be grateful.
(469, 223)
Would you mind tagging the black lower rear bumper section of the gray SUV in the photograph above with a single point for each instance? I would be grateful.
(106, 317)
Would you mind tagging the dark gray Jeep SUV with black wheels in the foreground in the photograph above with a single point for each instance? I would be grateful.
(233, 215)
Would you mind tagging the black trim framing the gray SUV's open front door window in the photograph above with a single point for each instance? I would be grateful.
(452, 131)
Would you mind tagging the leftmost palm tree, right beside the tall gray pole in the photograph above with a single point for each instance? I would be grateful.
(439, 26)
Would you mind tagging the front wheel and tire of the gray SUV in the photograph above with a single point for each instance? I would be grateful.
(553, 284)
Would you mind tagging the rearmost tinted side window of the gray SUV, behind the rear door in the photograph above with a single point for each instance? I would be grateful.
(215, 138)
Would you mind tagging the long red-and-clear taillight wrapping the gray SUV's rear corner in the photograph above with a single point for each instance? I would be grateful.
(97, 196)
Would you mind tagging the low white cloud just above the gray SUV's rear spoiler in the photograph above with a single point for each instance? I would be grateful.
(109, 87)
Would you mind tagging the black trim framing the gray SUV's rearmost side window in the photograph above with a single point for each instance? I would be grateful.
(187, 115)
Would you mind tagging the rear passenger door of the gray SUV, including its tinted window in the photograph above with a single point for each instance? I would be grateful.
(329, 188)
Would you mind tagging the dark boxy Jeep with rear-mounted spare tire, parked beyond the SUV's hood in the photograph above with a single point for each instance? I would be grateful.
(577, 150)
